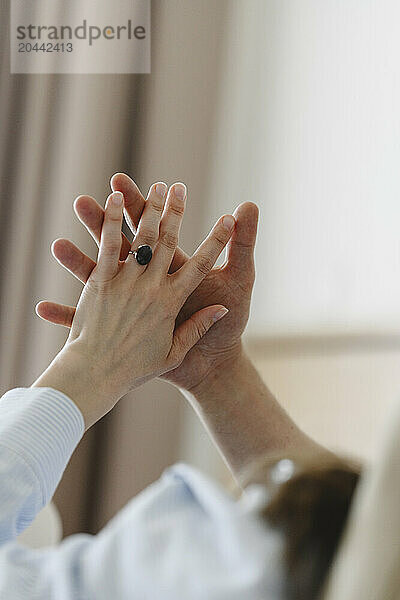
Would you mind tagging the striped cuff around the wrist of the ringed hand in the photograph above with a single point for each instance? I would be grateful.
(43, 426)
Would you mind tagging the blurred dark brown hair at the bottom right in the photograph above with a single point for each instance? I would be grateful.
(310, 509)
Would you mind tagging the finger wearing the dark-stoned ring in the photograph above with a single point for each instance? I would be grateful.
(149, 225)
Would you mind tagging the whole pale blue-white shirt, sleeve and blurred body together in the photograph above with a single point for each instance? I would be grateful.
(183, 538)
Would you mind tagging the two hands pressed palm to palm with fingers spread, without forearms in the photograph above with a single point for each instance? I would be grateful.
(179, 317)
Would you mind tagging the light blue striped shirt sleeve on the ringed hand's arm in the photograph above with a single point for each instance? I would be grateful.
(39, 430)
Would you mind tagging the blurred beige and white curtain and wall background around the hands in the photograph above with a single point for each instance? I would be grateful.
(291, 104)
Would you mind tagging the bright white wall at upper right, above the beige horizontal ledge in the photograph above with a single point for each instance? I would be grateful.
(309, 128)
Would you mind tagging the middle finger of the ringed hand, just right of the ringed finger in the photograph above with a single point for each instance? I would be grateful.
(169, 228)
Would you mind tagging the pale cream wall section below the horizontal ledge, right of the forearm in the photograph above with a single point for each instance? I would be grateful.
(341, 397)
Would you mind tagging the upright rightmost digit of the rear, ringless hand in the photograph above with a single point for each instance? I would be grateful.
(240, 252)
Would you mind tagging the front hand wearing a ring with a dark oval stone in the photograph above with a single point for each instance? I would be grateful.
(124, 330)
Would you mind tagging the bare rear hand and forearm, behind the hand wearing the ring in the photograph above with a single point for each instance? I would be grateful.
(215, 375)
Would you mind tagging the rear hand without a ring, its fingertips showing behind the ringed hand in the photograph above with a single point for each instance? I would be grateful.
(230, 285)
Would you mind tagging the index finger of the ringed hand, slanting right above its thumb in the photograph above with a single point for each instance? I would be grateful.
(203, 260)
